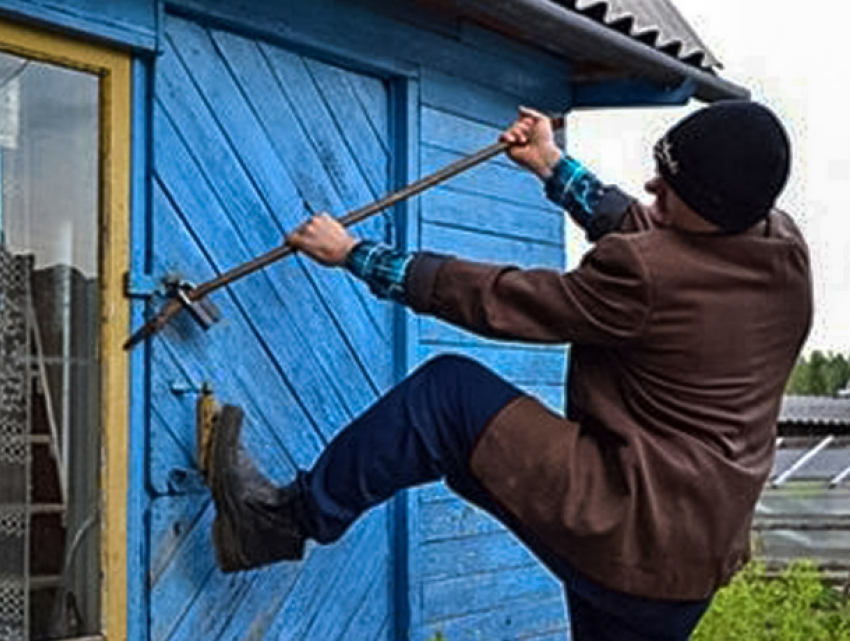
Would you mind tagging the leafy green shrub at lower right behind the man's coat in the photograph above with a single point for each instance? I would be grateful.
(796, 606)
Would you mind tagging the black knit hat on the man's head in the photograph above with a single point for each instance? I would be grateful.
(728, 162)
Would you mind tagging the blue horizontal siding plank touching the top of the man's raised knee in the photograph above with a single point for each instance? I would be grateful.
(521, 366)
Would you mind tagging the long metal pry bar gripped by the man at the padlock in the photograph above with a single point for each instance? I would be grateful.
(188, 297)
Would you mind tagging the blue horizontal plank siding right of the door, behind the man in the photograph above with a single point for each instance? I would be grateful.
(470, 578)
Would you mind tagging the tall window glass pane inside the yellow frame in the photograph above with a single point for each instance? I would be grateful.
(49, 376)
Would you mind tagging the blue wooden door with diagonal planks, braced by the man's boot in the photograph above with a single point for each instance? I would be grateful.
(244, 134)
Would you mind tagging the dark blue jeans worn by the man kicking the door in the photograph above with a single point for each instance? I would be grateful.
(424, 430)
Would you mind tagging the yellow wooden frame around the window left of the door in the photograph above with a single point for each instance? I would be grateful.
(114, 69)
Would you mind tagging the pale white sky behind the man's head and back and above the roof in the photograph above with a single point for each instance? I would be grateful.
(791, 57)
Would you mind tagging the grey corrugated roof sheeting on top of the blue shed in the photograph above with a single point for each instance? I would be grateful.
(656, 23)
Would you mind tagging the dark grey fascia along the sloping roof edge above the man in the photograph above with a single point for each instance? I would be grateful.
(565, 32)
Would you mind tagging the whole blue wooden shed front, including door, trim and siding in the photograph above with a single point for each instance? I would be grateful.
(250, 110)
